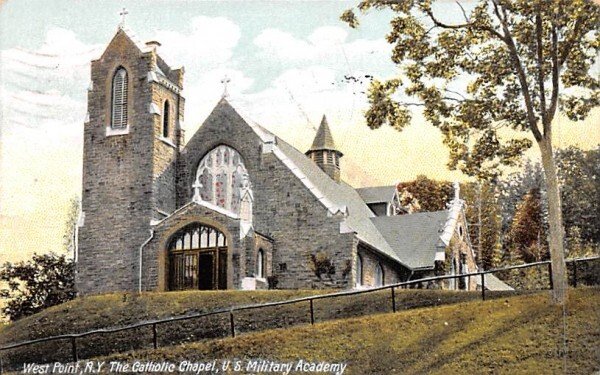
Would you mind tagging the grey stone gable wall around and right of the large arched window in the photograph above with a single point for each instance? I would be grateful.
(284, 209)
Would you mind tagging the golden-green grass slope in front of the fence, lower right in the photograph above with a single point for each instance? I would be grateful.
(514, 335)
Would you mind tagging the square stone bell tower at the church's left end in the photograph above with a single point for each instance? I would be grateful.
(132, 138)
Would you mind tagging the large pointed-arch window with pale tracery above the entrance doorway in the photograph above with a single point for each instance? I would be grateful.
(223, 180)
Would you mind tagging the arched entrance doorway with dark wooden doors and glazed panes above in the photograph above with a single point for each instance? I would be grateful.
(197, 258)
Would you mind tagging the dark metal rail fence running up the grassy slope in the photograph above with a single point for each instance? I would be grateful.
(230, 313)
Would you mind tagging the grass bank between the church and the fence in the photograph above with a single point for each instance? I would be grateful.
(115, 310)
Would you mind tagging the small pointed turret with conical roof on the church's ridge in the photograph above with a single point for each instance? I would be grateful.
(324, 153)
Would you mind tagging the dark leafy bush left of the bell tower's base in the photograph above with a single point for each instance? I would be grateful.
(45, 280)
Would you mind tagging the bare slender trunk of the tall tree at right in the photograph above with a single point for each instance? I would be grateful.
(556, 235)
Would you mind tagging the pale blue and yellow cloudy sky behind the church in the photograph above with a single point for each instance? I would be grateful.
(286, 61)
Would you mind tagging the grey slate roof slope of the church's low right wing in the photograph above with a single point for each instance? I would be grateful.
(414, 237)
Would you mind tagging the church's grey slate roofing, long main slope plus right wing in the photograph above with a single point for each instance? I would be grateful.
(408, 239)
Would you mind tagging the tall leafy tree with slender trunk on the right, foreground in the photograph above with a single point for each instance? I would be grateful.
(507, 64)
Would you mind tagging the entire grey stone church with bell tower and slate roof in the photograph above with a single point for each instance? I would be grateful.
(234, 207)
